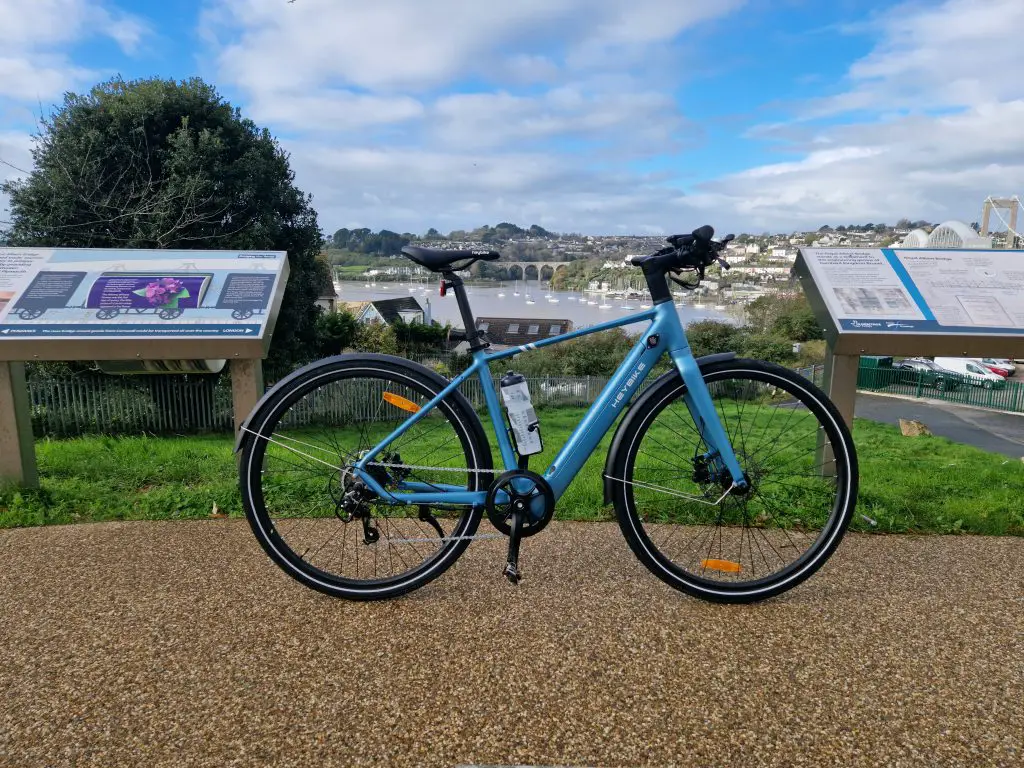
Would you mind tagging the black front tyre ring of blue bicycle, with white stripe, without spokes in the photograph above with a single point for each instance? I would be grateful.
(669, 390)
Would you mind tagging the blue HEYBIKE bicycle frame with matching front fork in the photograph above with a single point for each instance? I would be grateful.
(664, 336)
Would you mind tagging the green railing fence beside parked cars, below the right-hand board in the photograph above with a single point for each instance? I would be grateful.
(922, 385)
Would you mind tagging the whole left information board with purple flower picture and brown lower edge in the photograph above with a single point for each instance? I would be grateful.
(117, 305)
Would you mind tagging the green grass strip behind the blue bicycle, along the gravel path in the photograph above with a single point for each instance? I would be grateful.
(919, 485)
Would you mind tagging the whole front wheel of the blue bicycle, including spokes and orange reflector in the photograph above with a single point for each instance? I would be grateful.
(673, 504)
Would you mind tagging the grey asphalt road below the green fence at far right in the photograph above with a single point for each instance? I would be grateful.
(992, 431)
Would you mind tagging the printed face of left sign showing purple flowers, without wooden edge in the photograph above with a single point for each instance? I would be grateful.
(104, 293)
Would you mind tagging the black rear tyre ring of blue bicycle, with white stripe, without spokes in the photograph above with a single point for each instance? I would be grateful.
(273, 409)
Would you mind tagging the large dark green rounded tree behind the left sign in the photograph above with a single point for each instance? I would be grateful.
(165, 164)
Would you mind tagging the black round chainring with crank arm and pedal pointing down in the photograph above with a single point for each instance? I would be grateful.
(520, 504)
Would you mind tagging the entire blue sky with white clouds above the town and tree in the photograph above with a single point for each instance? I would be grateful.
(594, 116)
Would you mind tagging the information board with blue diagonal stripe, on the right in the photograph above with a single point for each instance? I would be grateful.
(912, 302)
